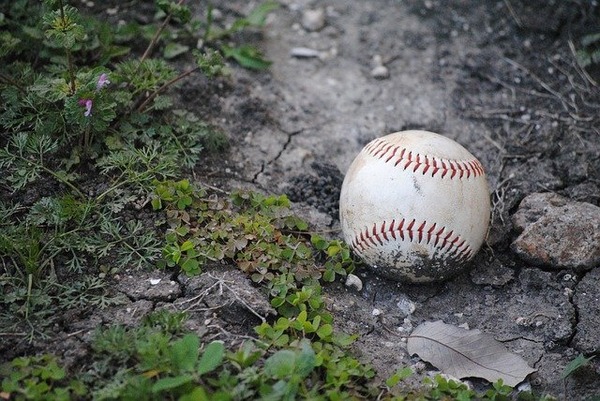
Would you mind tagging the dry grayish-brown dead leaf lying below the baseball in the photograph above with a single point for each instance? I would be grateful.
(467, 353)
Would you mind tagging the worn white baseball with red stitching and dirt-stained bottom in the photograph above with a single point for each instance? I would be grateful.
(415, 206)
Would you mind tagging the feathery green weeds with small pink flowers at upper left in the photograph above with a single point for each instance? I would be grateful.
(96, 125)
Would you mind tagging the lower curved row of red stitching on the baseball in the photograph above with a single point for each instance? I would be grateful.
(420, 232)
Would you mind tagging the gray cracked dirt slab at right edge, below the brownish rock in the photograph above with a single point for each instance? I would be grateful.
(587, 299)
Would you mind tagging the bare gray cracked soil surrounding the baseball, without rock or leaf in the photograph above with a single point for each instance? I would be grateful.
(499, 77)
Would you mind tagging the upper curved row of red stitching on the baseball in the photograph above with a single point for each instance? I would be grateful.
(460, 169)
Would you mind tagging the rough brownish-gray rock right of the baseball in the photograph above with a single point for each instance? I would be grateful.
(557, 232)
